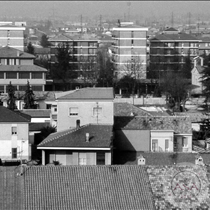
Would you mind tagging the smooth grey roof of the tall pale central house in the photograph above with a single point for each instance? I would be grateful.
(89, 93)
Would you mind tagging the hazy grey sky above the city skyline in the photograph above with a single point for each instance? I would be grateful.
(90, 8)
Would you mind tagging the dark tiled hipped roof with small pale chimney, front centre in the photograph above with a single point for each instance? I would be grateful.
(100, 136)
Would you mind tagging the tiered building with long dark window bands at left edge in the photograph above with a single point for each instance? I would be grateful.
(18, 68)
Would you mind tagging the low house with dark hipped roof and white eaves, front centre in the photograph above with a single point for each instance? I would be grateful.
(86, 145)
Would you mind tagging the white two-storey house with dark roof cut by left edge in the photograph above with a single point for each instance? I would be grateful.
(14, 135)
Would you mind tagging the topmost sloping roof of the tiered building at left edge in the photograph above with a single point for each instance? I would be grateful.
(9, 52)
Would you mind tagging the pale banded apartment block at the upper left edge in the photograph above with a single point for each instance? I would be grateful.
(12, 36)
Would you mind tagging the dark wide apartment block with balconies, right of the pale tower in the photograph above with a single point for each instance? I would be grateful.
(169, 50)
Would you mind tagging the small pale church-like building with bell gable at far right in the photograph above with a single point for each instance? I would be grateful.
(196, 75)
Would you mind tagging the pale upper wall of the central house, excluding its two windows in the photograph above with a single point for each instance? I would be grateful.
(85, 113)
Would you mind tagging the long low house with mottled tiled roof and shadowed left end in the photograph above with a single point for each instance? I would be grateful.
(153, 134)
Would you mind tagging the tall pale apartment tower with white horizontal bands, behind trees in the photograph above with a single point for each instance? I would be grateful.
(130, 45)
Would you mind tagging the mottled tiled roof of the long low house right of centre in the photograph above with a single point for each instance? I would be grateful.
(180, 125)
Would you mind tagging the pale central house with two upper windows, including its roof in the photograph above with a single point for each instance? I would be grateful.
(83, 106)
